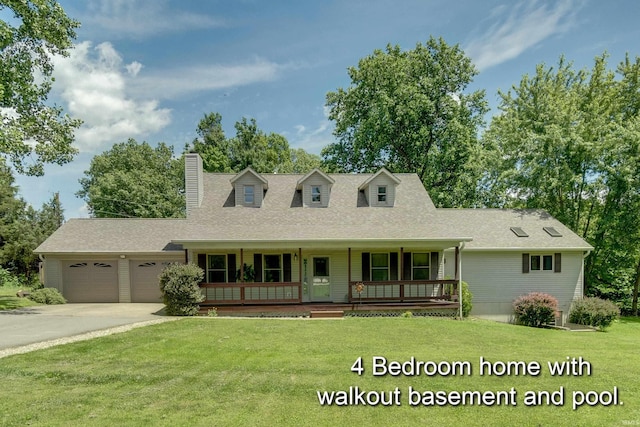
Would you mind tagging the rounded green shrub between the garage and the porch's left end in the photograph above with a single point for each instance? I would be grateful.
(180, 291)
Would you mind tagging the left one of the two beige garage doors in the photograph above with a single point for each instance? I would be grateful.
(90, 281)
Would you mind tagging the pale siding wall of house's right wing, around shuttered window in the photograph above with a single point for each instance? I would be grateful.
(496, 279)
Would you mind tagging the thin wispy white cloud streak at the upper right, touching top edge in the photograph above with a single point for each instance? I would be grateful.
(519, 28)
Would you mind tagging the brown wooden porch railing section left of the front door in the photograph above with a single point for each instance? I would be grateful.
(252, 293)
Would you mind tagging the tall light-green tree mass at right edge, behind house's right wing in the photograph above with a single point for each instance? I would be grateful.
(567, 141)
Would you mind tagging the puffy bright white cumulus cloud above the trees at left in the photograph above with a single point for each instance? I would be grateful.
(94, 83)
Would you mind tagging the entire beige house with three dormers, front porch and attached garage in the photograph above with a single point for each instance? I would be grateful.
(294, 239)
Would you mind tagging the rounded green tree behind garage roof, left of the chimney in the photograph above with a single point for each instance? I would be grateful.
(134, 180)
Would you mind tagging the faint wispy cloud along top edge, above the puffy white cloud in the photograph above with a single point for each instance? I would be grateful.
(143, 18)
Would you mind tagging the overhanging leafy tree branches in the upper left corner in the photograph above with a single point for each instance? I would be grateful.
(32, 131)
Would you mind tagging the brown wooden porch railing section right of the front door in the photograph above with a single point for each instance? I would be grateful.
(393, 290)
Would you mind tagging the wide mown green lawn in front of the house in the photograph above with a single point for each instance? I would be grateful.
(237, 372)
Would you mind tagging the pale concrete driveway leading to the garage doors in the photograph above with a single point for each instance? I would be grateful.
(31, 325)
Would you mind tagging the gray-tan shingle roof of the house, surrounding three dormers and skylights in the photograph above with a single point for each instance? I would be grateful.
(282, 218)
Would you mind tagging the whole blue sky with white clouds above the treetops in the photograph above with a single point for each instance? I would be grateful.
(151, 69)
